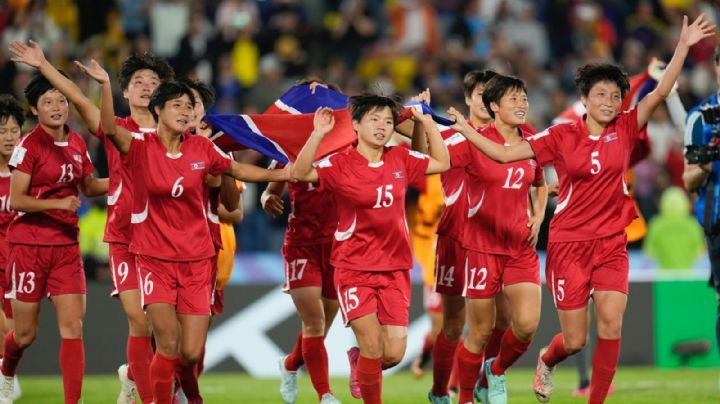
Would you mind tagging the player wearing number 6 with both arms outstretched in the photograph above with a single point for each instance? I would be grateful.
(170, 198)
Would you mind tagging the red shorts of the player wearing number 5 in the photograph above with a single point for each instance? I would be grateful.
(577, 268)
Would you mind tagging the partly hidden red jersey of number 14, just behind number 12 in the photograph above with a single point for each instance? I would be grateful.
(454, 184)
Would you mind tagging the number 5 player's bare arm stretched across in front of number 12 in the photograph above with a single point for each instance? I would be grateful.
(496, 151)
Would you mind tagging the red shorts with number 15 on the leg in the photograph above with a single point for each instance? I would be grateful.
(386, 293)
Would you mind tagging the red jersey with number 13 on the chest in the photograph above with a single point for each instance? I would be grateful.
(56, 169)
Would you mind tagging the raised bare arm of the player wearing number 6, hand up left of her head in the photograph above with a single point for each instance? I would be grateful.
(119, 136)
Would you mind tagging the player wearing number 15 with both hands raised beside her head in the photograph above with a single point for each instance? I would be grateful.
(371, 252)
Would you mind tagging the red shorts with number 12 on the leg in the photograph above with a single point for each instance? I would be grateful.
(487, 273)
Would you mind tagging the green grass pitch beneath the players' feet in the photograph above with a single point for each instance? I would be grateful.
(632, 386)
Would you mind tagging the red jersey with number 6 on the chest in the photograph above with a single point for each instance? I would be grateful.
(171, 197)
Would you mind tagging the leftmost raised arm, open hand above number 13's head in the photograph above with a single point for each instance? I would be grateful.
(32, 55)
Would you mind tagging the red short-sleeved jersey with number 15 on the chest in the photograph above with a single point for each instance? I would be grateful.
(372, 232)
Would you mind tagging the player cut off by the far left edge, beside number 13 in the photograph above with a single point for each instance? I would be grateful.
(12, 118)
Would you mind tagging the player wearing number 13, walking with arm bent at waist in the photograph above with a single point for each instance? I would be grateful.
(50, 164)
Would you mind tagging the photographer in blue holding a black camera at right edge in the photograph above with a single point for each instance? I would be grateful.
(702, 175)
